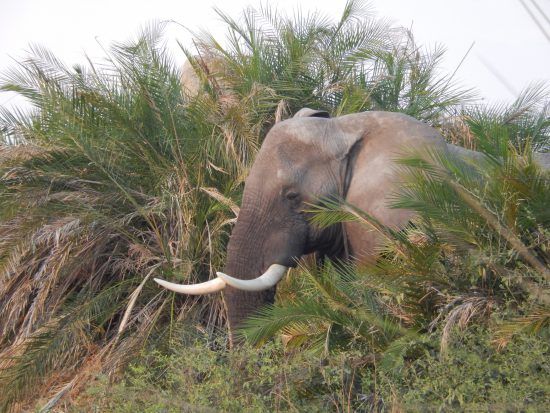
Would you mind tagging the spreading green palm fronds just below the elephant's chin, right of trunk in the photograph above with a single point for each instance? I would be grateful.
(331, 312)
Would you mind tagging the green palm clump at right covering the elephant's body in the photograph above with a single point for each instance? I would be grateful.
(480, 221)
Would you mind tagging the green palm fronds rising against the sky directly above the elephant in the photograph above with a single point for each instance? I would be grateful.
(343, 66)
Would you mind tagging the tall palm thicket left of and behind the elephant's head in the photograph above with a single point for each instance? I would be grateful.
(116, 175)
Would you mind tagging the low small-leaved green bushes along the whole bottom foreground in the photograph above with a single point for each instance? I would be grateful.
(192, 377)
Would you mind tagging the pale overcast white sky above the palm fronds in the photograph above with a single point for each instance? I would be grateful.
(507, 41)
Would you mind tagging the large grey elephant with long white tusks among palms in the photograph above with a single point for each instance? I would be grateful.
(304, 159)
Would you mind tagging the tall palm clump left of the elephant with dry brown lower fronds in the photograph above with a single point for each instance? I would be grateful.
(99, 193)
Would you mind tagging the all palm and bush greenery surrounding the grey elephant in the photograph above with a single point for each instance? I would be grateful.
(117, 174)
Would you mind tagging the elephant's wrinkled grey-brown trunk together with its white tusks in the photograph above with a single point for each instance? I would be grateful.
(260, 250)
